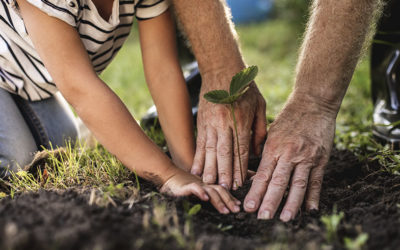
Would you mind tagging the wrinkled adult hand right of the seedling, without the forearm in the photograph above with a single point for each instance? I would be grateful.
(295, 154)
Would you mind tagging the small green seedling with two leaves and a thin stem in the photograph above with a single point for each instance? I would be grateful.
(239, 85)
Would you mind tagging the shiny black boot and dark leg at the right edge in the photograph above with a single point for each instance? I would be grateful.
(385, 76)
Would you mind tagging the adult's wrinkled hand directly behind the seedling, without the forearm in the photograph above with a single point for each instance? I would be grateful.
(216, 150)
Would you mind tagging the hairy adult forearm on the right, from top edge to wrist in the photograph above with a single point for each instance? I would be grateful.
(332, 45)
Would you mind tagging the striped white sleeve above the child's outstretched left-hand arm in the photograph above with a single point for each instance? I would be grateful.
(65, 10)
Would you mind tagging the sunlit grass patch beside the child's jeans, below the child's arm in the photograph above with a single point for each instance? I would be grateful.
(73, 167)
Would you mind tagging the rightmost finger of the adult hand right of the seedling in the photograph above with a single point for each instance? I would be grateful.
(314, 187)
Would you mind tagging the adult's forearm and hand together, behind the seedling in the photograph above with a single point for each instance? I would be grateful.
(213, 40)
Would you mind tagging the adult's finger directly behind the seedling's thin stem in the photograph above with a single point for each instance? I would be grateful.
(240, 163)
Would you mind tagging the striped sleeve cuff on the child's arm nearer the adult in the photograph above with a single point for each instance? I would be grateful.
(146, 9)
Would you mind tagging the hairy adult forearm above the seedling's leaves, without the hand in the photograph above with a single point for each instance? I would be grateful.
(212, 36)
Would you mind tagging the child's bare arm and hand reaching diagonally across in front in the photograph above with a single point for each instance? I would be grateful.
(66, 59)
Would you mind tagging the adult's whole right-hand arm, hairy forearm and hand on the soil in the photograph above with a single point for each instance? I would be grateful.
(300, 140)
